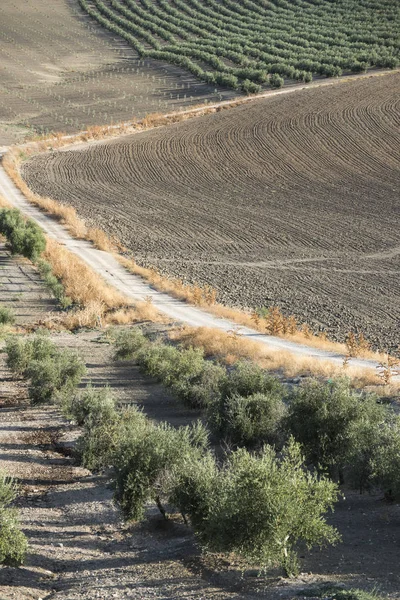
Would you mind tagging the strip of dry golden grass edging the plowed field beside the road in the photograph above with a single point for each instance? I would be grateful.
(202, 296)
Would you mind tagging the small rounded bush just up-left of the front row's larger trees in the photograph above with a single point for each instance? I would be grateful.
(97, 405)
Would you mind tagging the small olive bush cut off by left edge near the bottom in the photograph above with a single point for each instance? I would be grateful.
(13, 544)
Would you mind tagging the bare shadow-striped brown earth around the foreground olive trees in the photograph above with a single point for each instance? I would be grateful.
(81, 550)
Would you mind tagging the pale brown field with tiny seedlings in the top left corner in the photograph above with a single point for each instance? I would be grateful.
(60, 72)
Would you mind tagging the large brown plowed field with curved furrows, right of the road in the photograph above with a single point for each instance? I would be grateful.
(292, 200)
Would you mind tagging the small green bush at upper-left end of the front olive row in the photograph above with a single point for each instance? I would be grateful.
(21, 352)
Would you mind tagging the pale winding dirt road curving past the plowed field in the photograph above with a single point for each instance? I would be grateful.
(136, 289)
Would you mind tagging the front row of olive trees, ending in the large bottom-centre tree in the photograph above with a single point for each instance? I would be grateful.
(259, 506)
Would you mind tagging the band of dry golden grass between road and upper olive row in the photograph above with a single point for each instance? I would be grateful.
(231, 347)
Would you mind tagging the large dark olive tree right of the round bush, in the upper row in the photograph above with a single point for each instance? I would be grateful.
(323, 417)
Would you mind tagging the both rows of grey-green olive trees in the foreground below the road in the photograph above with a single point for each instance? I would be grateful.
(288, 449)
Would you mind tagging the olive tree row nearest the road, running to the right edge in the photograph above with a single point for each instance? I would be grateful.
(348, 434)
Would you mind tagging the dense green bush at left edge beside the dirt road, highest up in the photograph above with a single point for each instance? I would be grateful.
(24, 237)
